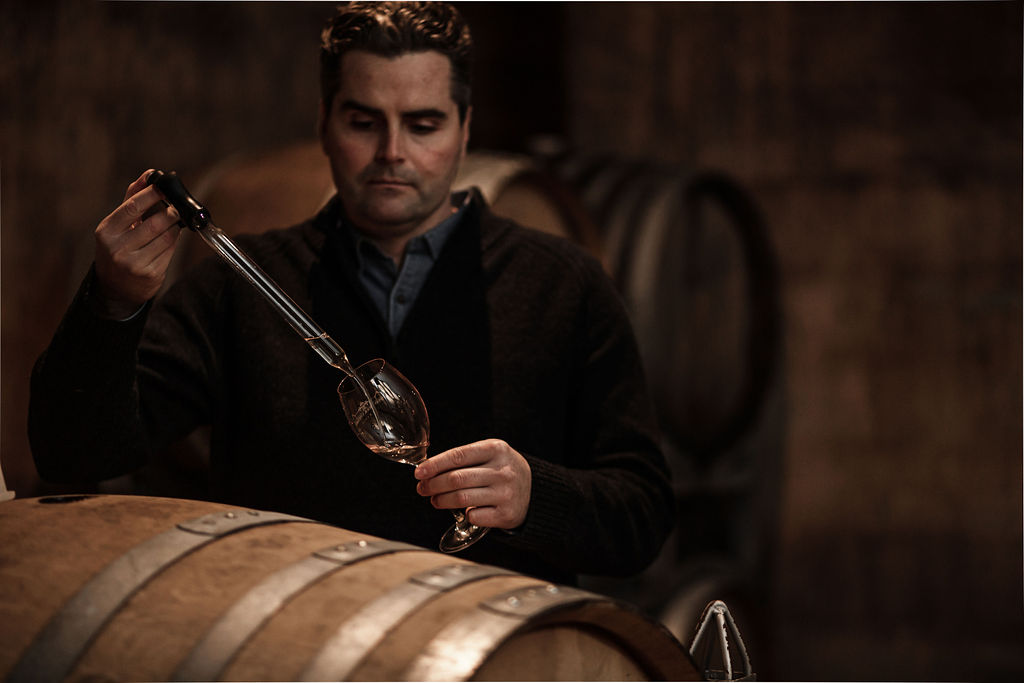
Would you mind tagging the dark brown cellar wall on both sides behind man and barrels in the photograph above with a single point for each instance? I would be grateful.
(882, 143)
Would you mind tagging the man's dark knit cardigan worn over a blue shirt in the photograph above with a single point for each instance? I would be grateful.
(517, 335)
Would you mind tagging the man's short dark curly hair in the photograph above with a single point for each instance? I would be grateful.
(393, 29)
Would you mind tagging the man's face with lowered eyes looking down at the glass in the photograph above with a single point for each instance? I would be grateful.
(395, 142)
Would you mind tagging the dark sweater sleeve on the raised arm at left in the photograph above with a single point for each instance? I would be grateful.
(107, 395)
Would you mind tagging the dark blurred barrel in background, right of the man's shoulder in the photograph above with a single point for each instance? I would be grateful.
(693, 258)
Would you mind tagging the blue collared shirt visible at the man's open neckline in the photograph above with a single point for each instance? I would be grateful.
(394, 290)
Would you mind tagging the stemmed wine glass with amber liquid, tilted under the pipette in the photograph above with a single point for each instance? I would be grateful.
(395, 425)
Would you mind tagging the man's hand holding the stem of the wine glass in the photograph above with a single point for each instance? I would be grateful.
(490, 477)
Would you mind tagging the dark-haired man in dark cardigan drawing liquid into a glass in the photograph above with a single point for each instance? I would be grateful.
(517, 340)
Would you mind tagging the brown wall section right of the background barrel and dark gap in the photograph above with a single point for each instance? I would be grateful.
(883, 144)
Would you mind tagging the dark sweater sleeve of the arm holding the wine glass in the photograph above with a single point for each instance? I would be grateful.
(609, 509)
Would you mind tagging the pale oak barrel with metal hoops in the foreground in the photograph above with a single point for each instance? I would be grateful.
(144, 588)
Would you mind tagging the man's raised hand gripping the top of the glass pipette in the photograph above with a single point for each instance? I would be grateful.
(135, 246)
